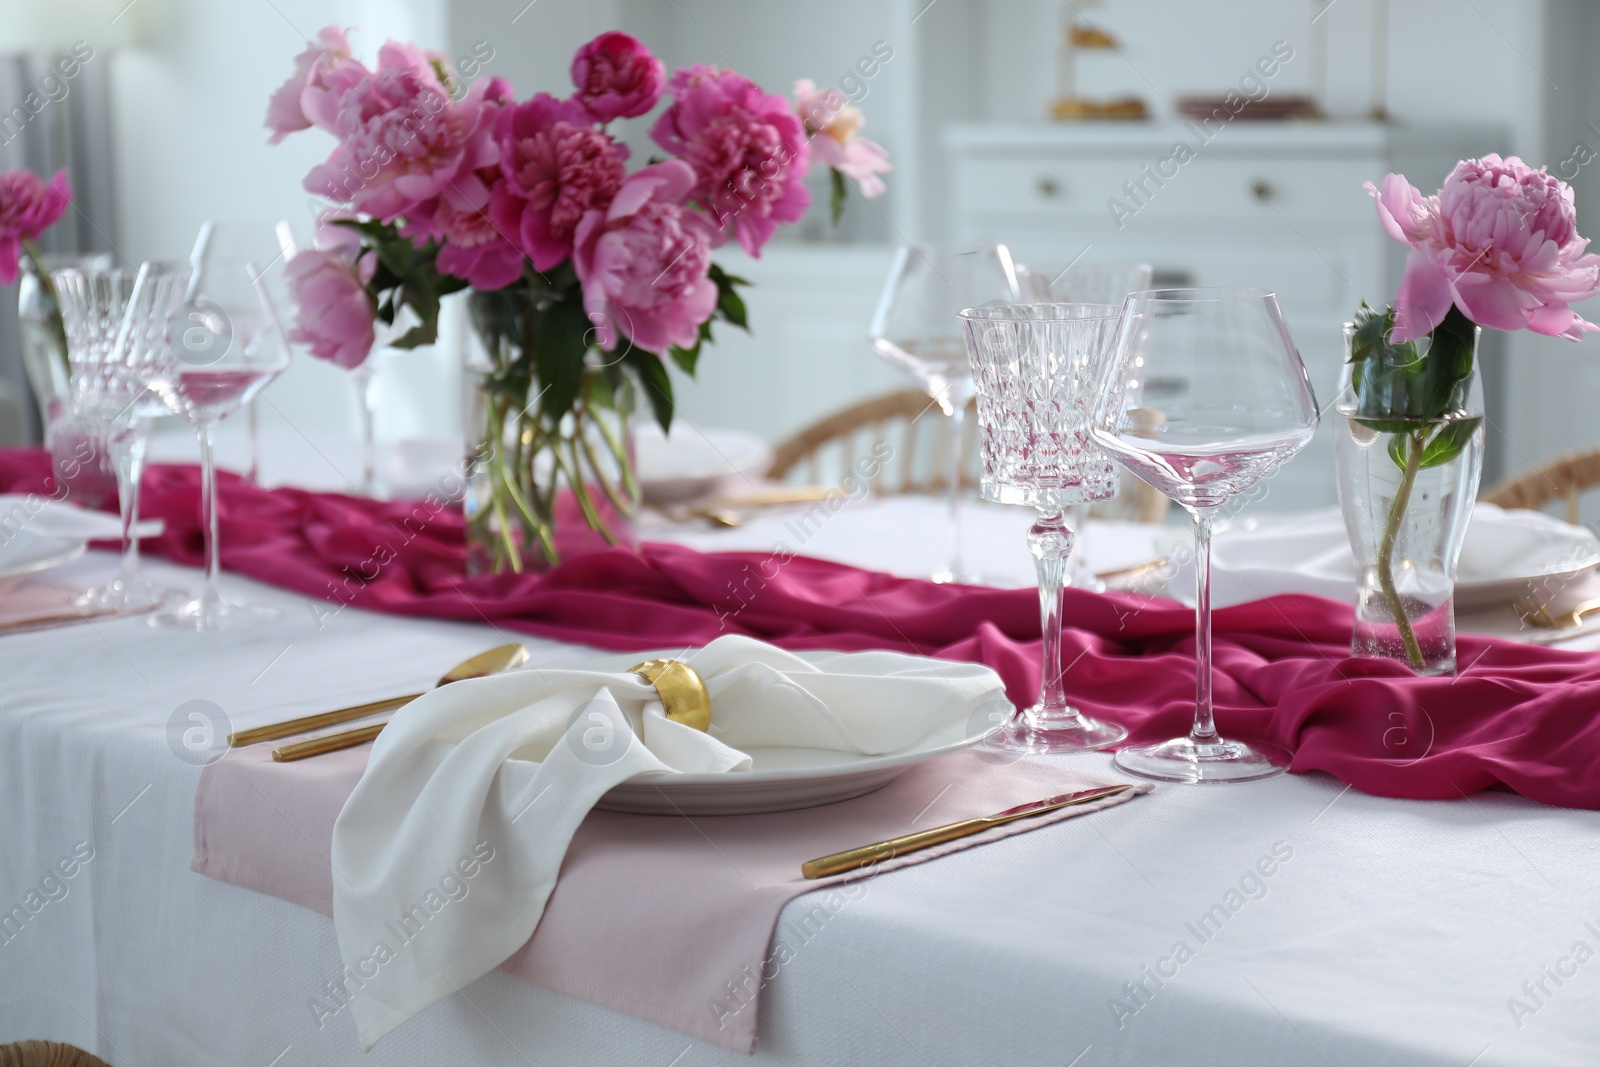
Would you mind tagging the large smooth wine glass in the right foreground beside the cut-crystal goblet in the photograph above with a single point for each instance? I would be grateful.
(1204, 396)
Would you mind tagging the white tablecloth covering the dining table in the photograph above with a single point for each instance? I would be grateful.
(1386, 933)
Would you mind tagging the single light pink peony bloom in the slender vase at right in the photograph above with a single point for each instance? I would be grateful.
(1500, 242)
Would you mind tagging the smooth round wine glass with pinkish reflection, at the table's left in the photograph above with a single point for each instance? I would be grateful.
(223, 350)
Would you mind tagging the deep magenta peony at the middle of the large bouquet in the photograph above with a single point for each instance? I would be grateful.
(558, 167)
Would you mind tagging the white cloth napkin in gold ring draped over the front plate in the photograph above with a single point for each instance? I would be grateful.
(476, 789)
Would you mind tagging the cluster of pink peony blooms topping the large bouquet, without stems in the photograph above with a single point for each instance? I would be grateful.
(450, 185)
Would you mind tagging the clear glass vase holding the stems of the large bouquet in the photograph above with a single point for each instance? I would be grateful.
(542, 490)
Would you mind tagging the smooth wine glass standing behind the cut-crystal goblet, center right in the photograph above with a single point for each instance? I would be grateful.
(916, 329)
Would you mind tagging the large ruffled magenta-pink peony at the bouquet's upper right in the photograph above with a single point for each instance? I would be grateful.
(748, 150)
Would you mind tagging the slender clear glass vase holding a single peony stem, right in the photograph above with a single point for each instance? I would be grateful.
(1407, 487)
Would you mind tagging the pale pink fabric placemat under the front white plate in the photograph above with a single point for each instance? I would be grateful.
(668, 919)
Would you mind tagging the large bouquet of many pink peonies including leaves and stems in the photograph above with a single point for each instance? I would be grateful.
(588, 270)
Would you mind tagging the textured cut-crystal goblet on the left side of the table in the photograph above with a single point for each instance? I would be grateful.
(114, 319)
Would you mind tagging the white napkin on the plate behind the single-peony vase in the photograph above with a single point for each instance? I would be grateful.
(1311, 554)
